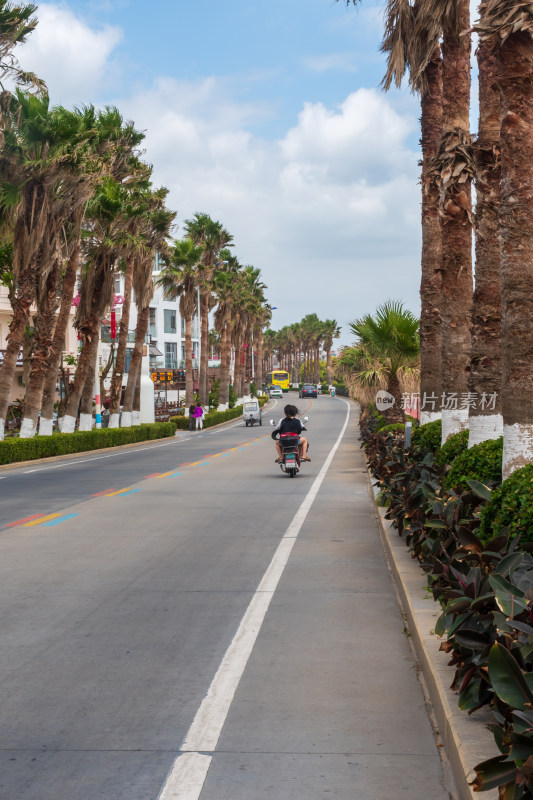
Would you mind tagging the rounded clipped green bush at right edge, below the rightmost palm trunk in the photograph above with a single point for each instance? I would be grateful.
(510, 508)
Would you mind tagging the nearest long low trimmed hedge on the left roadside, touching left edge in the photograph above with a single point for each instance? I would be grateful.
(13, 450)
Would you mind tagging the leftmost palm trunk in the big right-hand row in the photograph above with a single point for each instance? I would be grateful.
(431, 280)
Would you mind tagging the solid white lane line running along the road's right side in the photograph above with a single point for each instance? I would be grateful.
(189, 771)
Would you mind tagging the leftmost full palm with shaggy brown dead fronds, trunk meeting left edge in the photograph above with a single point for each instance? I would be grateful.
(41, 150)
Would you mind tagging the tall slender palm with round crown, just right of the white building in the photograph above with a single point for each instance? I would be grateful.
(212, 237)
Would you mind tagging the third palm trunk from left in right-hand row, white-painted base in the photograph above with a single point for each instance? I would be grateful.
(486, 421)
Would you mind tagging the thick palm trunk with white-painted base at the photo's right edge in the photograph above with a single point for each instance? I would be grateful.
(515, 67)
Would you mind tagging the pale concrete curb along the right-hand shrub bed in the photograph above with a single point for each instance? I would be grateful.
(467, 739)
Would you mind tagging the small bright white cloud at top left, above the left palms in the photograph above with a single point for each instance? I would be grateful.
(72, 58)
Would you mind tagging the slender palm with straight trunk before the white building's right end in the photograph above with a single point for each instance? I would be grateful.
(179, 279)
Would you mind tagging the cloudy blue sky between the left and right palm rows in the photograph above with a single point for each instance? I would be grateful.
(269, 117)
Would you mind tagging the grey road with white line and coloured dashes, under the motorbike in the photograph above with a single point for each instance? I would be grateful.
(130, 578)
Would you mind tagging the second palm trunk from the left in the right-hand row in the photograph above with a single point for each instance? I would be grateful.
(456, 207)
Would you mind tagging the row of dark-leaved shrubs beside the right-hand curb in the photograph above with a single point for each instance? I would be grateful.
(471, 542)
